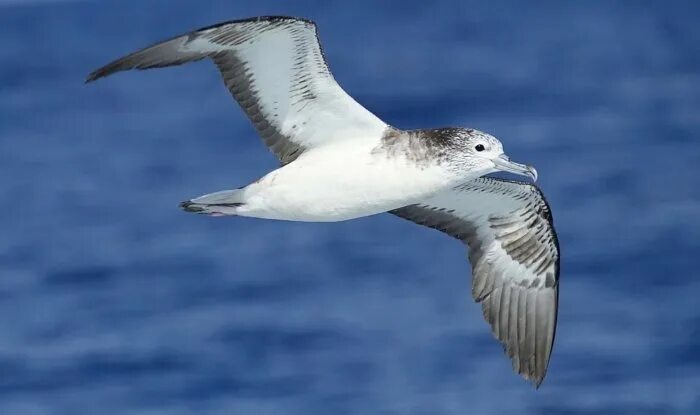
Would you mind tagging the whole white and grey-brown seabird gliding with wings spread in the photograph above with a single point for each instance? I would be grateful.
(339, 161)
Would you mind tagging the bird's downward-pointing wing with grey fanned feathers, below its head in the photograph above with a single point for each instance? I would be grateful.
(514, 254)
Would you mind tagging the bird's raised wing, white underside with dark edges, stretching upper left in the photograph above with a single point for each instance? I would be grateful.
(274, 67)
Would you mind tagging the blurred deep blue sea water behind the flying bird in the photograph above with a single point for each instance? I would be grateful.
(113, 301)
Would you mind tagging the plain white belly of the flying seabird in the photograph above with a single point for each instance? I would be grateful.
(329, 192)
